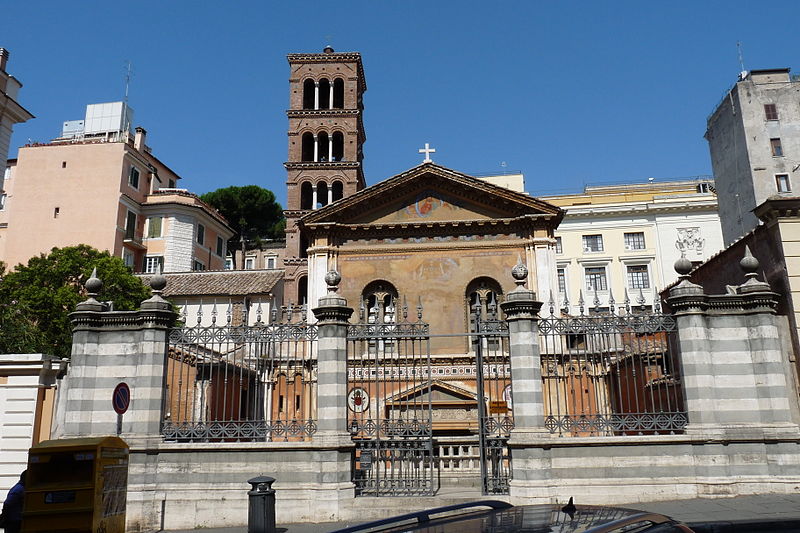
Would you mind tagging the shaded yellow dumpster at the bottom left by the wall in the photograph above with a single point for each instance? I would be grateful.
(76, 485)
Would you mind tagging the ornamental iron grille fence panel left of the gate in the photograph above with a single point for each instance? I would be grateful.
(245, 383)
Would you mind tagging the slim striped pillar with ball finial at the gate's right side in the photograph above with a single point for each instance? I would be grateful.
(521, 310)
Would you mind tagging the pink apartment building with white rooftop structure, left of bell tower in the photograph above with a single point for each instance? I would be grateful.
(100, 184)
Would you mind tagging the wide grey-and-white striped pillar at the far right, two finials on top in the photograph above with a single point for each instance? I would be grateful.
(733, 364)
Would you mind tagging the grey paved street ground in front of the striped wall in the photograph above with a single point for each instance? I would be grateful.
(741, 508)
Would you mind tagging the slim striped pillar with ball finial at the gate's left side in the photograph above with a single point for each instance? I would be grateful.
(332, 315)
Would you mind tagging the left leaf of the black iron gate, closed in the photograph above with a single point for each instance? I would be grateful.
(389, 405)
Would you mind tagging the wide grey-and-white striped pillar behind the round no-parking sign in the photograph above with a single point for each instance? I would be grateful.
(110, 347)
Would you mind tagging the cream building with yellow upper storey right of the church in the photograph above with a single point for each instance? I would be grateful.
(620, 239)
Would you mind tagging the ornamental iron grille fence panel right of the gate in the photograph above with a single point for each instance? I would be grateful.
(611, 373)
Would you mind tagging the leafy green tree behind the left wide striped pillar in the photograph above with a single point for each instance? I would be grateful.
(38, 297)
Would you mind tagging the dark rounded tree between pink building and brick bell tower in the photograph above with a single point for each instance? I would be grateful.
(251, 210)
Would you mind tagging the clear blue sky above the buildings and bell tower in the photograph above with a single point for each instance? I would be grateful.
(567, 92)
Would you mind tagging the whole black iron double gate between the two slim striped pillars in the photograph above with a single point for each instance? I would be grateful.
(398, 395)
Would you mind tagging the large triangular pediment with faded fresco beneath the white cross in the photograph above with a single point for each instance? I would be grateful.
(430, 193)
